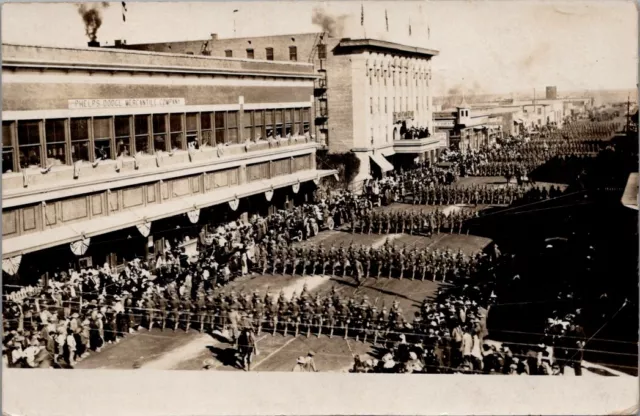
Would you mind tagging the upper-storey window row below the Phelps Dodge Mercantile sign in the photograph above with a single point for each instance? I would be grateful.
(42, 143)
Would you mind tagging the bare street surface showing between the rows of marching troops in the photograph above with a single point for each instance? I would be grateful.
(187, 351)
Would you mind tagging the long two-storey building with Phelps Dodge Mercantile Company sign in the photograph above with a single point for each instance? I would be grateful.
(107, 152)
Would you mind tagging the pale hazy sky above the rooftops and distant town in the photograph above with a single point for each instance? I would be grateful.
(485, 46)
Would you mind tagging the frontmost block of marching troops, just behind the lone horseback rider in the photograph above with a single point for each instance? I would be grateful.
(329, 314)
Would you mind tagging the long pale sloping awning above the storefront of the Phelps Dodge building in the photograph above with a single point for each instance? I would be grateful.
(132, 217)
